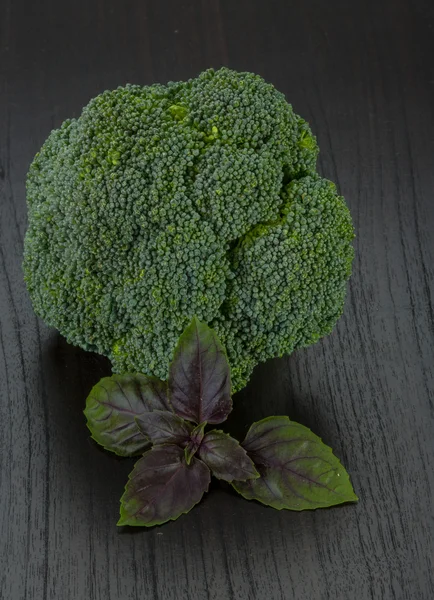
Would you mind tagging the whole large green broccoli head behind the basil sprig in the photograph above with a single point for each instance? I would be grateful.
(192, 198)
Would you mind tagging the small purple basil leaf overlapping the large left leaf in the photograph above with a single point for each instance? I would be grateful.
(164, 427)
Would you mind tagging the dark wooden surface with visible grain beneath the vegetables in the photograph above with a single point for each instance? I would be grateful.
(362, 74)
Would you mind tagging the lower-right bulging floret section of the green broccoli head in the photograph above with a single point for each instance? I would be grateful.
(290, 275)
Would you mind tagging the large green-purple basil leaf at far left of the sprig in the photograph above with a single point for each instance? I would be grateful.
(113, 404)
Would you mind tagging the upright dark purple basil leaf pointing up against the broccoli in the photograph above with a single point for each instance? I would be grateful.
(199, 376)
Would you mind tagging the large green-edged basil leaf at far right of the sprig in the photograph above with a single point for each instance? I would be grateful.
(298, 471)
